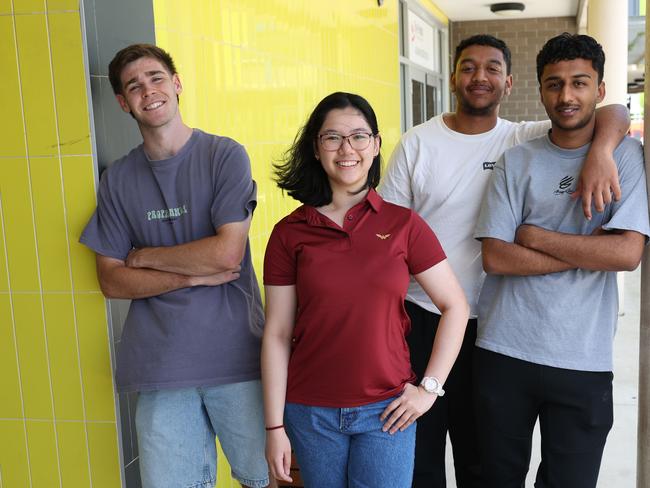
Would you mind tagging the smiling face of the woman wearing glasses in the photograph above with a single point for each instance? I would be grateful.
(346, 168)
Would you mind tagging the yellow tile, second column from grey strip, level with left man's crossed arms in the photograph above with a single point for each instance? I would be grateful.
(51, 242)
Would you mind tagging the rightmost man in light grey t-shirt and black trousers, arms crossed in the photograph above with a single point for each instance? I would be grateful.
(548, 308)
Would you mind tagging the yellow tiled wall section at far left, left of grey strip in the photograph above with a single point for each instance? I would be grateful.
(57, 410)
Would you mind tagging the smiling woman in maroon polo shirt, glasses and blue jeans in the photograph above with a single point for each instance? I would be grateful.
(338, 385)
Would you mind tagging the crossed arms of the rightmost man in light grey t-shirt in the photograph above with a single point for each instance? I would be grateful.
(539, 251)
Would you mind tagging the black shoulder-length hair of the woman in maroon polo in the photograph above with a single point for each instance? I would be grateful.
(300, 174)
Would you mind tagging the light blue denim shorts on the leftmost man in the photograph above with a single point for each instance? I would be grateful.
(176, 435)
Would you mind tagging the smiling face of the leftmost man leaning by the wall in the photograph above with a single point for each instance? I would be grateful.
(149, 93)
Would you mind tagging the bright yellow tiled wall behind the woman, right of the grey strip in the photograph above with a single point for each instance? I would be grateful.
(253, 70)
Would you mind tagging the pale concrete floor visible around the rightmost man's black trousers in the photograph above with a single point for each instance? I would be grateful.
(618, 468)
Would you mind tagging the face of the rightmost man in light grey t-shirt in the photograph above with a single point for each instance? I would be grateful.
(570, 91)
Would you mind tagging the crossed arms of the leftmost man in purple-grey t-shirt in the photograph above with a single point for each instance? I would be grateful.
(152, 271)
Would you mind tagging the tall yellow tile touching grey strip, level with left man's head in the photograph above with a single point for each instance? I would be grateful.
(69, 82)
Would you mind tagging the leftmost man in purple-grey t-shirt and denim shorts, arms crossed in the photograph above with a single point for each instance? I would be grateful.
(171, 234)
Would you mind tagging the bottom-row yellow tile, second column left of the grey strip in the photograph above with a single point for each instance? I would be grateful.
(73, 454)
